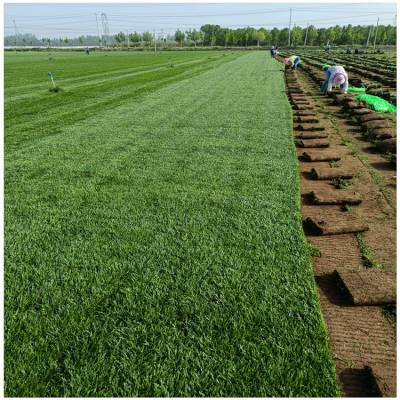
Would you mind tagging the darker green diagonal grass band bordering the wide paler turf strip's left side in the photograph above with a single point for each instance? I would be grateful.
(50, 114)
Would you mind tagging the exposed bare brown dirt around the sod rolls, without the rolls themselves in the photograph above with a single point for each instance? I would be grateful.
(360, 336)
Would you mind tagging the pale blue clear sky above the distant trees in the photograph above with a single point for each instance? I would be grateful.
(74, 19)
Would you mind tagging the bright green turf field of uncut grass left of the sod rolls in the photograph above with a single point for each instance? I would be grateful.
(153, 236)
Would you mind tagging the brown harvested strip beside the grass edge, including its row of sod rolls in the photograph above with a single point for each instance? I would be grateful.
(343, 195)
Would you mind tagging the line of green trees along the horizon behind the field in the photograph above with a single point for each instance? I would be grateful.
(215, 35)
